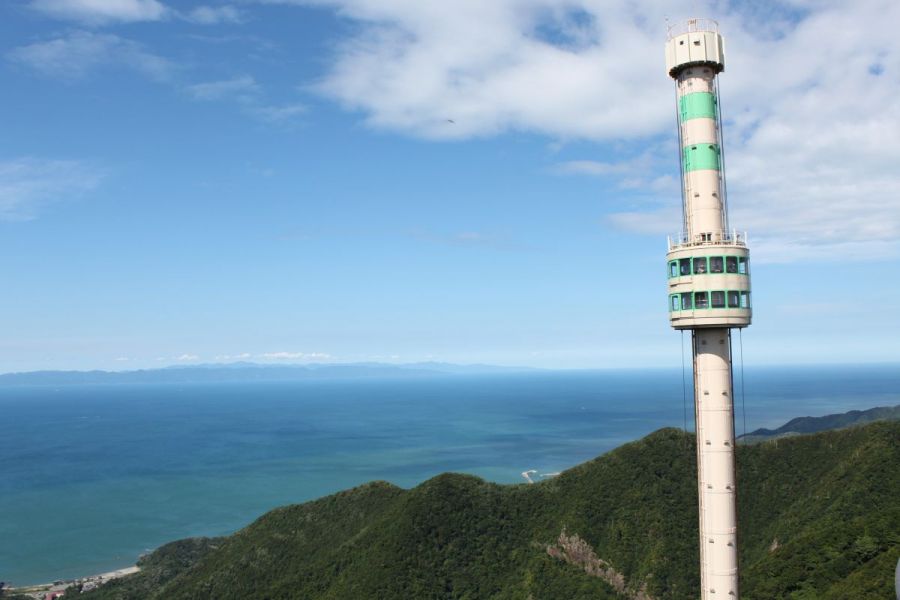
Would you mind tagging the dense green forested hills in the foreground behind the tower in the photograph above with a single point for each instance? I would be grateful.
(819, 518)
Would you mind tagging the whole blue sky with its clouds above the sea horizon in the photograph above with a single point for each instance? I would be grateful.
(355, 180)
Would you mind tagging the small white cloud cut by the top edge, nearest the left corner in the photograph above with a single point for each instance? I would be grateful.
(95, 12)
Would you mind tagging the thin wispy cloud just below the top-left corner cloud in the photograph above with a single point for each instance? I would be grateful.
(72, 57)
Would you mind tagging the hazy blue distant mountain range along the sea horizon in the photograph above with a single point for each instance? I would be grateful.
(247, 371)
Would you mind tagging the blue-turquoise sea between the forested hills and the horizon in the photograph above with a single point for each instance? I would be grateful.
(92, 476)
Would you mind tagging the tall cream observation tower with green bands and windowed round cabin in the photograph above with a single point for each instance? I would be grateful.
(709, 291)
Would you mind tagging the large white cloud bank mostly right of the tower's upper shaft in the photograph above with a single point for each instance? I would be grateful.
(811, 138)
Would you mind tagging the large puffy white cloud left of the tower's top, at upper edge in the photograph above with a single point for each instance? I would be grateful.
(472, 68)
